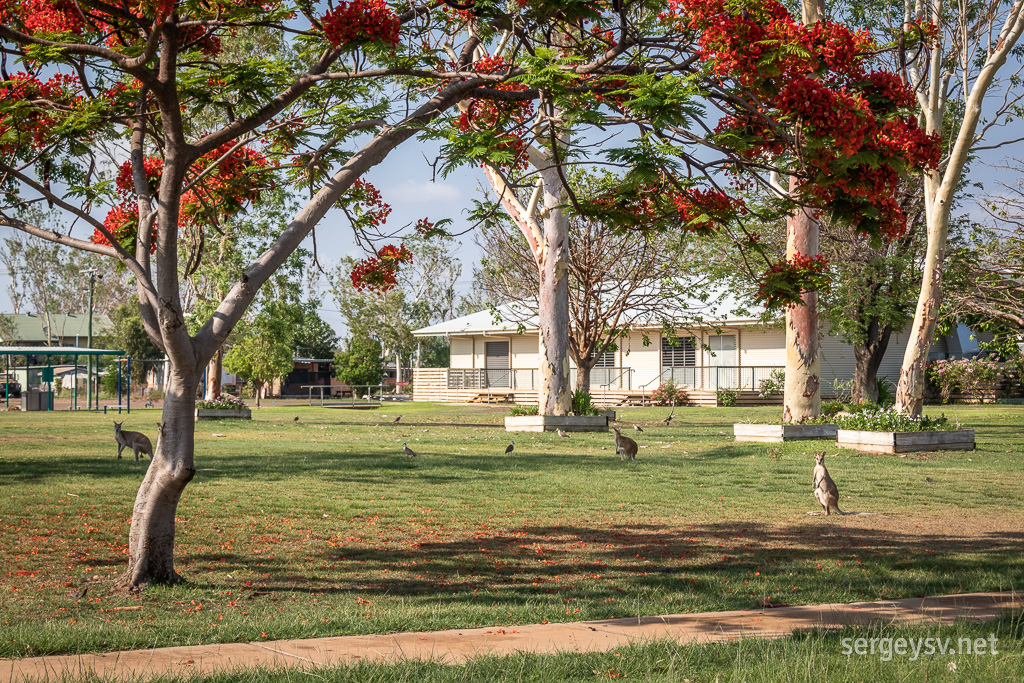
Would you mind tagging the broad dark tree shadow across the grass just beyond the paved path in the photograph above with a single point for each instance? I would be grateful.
(722, 564)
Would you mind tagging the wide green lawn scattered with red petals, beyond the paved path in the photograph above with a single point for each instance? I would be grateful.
(323, 528)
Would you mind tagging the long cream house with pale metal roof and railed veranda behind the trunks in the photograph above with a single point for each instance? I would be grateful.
(497, 359)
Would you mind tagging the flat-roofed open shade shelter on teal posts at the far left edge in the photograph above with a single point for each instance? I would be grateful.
(45, 373)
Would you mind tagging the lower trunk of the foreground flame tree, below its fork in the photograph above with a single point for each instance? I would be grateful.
(151, 539)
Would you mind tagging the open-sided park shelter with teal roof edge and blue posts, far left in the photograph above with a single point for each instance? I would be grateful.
(37, 388)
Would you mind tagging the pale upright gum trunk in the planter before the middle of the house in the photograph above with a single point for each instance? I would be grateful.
(553, 301)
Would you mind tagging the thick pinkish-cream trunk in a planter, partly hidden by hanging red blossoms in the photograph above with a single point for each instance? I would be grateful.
(802, 399)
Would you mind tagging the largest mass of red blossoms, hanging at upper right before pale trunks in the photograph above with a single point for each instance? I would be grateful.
(854, 141)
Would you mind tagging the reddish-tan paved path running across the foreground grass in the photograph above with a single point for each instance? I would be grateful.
(461, 645)
